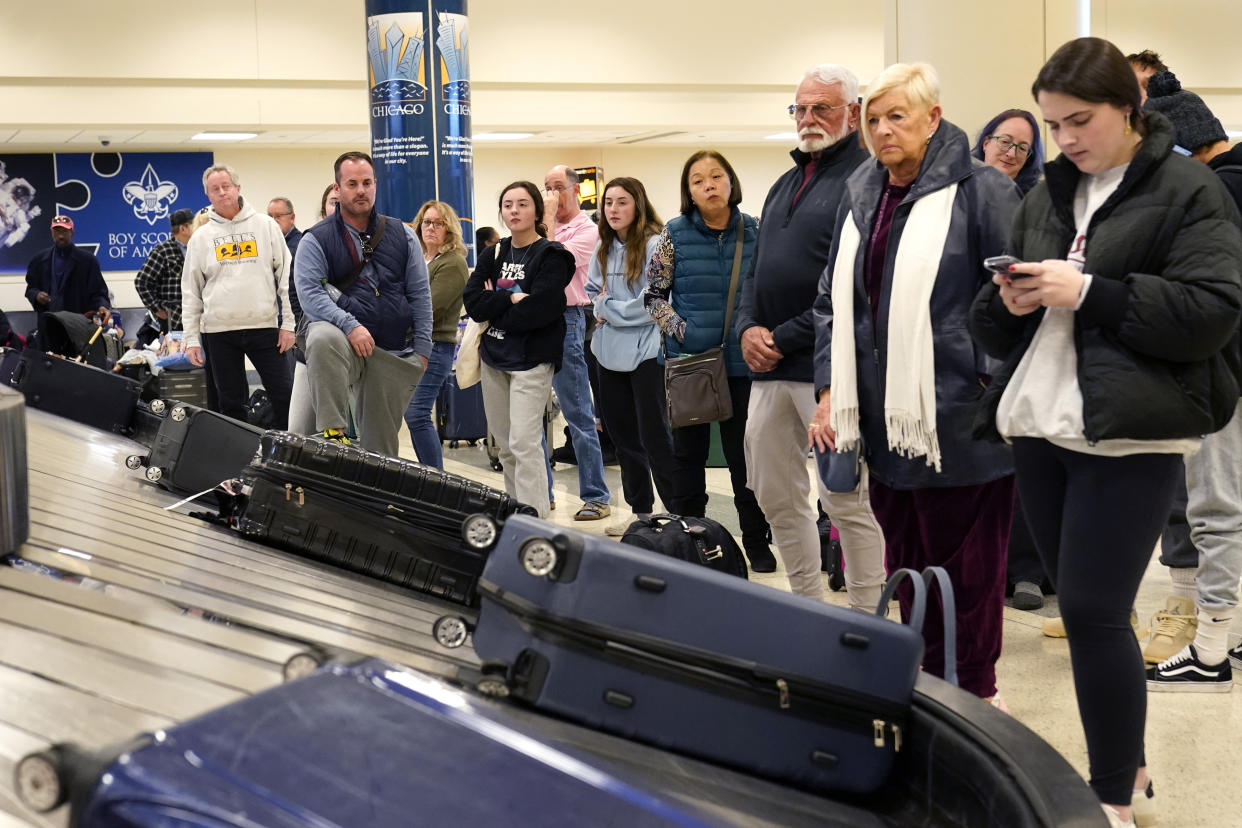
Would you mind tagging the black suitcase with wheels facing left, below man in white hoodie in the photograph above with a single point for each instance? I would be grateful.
(194, 449)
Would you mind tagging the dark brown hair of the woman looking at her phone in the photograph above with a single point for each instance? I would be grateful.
(1094, 70)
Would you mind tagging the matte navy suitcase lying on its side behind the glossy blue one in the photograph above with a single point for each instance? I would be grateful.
(692, 660)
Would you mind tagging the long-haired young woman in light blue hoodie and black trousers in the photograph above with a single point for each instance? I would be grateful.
(627, 343)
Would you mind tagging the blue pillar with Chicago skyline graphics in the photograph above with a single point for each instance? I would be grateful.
(419, 74)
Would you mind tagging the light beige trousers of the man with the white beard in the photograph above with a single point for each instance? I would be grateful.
(777, 448)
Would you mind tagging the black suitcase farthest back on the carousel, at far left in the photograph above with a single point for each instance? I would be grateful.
(78, 392)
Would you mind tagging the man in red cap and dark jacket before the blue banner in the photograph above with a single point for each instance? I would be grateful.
(65, 277)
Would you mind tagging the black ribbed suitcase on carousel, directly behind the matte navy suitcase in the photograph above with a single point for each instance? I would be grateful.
(404, 523)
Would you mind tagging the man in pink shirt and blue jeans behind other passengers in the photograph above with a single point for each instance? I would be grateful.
(572, 228)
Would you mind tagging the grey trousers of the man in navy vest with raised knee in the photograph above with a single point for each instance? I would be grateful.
(381, 384)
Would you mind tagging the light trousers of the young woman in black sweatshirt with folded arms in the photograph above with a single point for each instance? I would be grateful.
(515, 403)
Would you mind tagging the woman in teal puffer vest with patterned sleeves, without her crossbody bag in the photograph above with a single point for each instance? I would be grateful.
(687, 295)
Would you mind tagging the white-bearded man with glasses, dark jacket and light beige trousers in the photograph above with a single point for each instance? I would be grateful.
(778, 342)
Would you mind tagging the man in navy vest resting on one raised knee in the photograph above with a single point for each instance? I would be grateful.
(365, 291)
